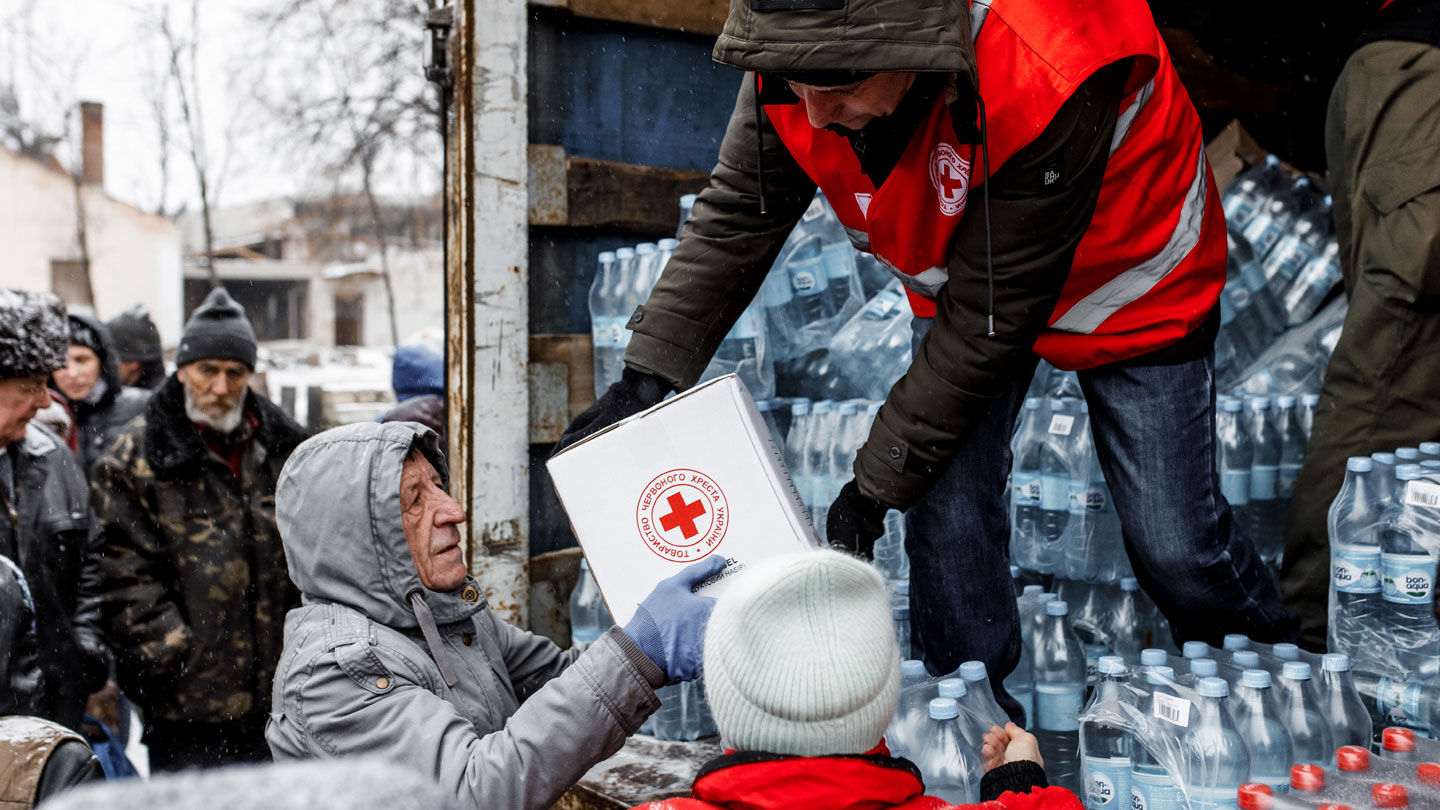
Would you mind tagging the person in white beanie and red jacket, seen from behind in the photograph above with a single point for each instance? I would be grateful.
(803, 674)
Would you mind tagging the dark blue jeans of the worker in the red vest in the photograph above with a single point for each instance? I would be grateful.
(1156, 436)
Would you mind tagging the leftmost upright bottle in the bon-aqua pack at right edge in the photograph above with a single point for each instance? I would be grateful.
(1354, 518)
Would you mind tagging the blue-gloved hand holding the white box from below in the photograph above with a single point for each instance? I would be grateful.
(670, 625)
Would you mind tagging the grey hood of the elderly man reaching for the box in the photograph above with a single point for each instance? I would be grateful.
(338, 507)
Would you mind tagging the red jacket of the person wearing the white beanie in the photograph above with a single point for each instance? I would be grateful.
(870, 782)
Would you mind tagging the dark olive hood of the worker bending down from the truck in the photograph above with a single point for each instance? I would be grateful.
(849, 35)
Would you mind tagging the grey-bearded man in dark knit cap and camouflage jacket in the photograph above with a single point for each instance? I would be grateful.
(197, 586)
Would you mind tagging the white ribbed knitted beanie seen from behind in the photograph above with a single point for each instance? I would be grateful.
(801, 658)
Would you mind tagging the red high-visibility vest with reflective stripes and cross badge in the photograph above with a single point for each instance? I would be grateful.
(1153, 262)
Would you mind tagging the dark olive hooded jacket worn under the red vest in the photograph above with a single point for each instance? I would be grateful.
(728, 246)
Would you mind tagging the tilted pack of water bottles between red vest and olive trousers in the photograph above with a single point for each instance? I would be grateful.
(1284, 263)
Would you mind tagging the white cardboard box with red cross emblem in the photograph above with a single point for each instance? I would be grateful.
(695, 476)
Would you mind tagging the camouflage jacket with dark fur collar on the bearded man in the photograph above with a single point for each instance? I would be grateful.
(197, 586)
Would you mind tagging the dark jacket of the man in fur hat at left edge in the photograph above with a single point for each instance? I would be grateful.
(51, 537)
